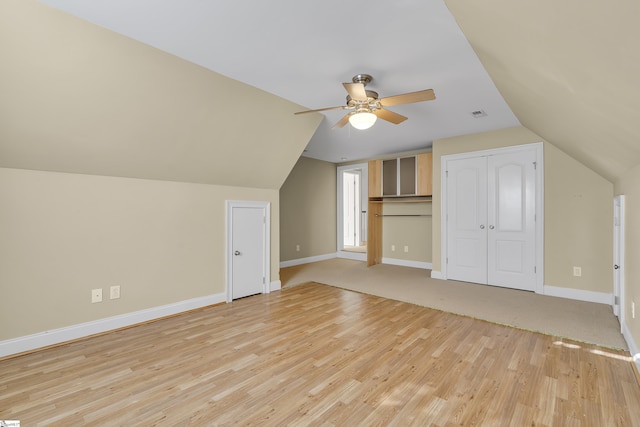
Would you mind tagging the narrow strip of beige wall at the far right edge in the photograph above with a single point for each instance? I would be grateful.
(629, 185)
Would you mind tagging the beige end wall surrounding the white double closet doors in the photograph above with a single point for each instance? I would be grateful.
(577, 205)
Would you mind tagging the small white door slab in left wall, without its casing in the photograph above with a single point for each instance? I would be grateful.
(247, 251)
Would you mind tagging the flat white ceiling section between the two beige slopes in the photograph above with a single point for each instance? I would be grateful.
(303, 51)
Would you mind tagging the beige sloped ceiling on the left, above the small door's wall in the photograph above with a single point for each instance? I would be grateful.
(77, 98)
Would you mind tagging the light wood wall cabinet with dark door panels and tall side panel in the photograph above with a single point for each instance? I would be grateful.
(394, 178)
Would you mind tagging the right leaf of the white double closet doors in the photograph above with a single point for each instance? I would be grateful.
(511, 210)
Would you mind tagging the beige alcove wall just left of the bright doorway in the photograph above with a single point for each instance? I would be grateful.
(308, 210)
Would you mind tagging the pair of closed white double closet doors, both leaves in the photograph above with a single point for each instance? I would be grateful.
(491, 235)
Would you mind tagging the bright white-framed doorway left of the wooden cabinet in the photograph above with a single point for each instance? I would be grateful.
(352, 196)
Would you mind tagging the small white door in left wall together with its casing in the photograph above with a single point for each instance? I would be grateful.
(248, 248)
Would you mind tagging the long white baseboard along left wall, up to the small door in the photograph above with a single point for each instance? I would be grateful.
(81, 330)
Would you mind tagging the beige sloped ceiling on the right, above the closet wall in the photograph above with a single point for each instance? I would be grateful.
(569, 70)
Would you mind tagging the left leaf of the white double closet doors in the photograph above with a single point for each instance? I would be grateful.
(467, 220)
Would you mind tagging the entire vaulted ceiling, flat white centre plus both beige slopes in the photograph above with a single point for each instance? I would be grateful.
(171, 87)
